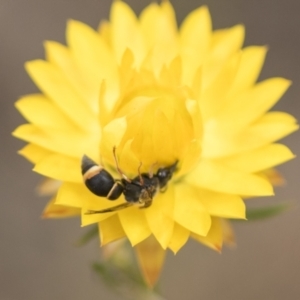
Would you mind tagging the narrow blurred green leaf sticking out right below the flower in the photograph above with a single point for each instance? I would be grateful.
(267, 211)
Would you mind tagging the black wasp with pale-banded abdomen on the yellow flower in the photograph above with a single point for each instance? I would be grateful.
(139, 190)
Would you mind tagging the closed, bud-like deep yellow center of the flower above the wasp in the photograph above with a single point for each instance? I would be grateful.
(159, 126)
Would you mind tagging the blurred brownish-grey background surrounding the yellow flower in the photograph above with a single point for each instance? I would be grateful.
(38, 259)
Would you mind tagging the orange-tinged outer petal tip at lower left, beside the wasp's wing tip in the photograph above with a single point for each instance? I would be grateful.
(53, 210)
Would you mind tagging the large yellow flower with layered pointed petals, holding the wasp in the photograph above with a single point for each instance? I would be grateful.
(160, 95)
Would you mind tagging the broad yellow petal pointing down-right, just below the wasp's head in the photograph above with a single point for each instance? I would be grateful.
(189, 211)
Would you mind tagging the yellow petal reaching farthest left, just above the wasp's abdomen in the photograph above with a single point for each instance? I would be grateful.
(66, 142)
